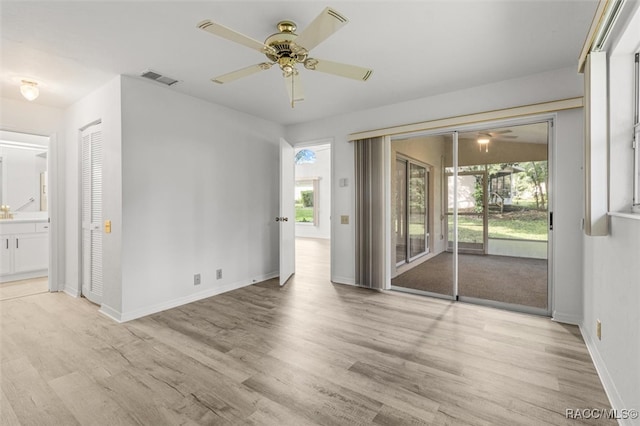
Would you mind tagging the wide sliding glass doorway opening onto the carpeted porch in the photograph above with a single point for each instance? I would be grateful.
(489, 215)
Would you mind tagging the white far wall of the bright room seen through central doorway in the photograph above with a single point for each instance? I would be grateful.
(320, 169)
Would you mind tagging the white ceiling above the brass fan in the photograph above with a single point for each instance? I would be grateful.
(416, 48)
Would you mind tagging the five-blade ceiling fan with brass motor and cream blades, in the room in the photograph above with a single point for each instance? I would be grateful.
(288, 49)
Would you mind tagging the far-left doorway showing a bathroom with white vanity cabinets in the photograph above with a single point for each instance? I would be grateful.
(24, 216)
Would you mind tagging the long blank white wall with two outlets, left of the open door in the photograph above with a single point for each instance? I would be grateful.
(200, 192)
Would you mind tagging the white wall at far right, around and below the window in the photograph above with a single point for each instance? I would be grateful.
(611, 271)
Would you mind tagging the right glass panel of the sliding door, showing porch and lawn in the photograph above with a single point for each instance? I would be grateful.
(503, 256)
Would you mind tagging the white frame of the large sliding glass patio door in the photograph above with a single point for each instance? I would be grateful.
(551, 119)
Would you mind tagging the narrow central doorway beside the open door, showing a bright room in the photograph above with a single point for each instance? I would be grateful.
(313, 183)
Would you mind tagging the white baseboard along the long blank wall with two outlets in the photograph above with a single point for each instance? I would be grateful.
(148, 310)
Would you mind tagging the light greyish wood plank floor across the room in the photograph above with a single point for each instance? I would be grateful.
(310, 353)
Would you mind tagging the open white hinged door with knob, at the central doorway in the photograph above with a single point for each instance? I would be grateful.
(287, 218)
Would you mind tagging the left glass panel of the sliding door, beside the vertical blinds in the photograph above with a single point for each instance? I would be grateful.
(427, 266)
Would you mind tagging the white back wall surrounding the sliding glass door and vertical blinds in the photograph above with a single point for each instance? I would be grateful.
(549, 86)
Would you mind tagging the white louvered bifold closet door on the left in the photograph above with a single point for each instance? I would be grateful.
(92, 287)
